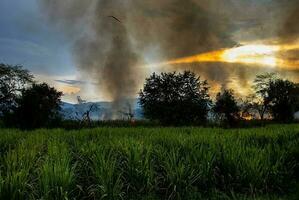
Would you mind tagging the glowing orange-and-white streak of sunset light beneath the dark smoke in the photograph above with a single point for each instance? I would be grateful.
(250, 54)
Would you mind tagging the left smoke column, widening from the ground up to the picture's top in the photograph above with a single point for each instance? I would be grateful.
(101, 44)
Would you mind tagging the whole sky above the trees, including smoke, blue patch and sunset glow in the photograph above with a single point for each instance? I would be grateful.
(102, 50)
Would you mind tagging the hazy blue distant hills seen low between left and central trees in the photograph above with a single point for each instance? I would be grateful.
(102, 111)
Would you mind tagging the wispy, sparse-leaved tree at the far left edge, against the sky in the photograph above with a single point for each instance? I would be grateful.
(13, 79)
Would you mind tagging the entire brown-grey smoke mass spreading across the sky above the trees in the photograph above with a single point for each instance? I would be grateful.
(112, 39)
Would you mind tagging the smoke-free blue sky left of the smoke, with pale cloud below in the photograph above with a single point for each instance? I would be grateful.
(27, 39)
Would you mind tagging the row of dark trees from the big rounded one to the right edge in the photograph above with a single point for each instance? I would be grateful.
(183, 99)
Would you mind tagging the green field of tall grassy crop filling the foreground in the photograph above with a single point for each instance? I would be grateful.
(150, 163)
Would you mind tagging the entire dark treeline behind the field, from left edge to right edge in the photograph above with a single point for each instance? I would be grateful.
(177, 99)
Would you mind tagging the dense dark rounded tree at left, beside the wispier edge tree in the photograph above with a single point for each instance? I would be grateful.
(38, 106)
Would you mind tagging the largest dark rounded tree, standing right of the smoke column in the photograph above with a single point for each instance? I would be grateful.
(175, 98)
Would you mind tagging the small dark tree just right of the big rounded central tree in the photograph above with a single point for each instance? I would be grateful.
(226, 106)
